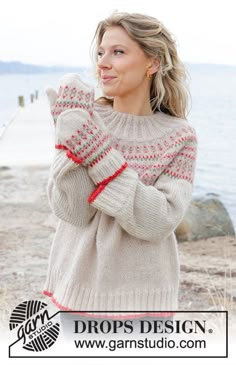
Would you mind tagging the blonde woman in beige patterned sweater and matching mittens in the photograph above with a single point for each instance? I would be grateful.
(123, 175)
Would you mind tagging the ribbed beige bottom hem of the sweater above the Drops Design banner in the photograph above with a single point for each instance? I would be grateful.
(83, 299)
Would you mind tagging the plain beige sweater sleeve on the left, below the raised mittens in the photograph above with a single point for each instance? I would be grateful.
(69, 187)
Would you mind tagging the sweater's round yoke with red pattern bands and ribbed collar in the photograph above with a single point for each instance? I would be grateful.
(152, 145)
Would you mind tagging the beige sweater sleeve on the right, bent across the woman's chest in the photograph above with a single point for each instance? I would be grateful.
(149, 212)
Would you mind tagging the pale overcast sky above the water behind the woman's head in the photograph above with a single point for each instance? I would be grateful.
(56, 32)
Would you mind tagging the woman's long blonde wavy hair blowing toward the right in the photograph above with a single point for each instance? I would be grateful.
(169, 93)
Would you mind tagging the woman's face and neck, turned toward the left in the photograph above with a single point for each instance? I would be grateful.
(122, 64)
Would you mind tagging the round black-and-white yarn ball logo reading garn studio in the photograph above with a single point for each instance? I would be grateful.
(34, 326)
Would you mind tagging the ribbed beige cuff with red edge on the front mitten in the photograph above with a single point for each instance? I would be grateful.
(107, 168)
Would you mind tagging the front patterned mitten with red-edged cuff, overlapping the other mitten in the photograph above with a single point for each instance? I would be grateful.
(88, 143)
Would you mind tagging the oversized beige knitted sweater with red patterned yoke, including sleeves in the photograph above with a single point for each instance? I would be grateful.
(114, 248)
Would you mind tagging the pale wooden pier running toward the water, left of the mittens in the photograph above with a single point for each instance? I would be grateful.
(29, 138)
